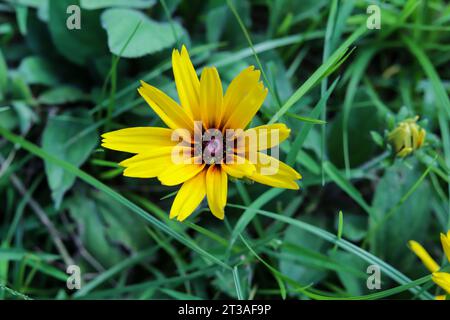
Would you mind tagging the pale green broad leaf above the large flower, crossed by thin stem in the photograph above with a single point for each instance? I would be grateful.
(150, 37)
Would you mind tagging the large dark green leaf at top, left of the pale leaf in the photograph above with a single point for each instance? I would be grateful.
(77, 45)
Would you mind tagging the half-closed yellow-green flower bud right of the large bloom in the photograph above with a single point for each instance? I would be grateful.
(407, 137)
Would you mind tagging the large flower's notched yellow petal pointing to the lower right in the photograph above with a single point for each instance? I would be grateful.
(275, 173)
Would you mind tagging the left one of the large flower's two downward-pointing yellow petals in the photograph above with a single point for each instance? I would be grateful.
(188, 198)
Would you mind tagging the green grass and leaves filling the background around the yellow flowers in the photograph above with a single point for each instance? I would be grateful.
(63, 200)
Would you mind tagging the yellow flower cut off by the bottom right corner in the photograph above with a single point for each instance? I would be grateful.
(442, 279)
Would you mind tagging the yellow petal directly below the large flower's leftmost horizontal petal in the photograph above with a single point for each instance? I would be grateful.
(149, 164)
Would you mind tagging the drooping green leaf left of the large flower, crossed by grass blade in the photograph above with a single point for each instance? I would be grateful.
(57, 131)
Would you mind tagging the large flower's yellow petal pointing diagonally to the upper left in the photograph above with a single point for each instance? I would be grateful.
(166, 108)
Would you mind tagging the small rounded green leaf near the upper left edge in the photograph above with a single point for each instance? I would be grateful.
(36, 70)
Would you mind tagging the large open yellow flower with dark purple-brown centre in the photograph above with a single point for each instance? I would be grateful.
(213, 154)
